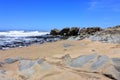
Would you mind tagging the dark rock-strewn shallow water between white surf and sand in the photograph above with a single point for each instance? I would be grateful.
(13, 42)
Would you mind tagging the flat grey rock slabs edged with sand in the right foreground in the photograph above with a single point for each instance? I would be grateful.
(94, 63)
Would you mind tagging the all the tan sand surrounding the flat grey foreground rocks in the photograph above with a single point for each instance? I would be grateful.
(57, 50)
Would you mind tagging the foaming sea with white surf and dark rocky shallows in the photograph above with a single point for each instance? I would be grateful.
(12, 39)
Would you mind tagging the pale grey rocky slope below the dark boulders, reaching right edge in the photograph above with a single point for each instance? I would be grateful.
(108, 36)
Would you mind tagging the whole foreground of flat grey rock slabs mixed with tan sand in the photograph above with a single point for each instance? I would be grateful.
(92, 66)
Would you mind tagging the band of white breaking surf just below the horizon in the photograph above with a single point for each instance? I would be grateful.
(22, 33)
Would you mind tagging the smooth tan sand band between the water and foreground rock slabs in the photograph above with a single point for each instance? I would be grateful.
(74, 48)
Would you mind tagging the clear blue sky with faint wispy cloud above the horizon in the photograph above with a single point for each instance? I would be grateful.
(49, 14)
